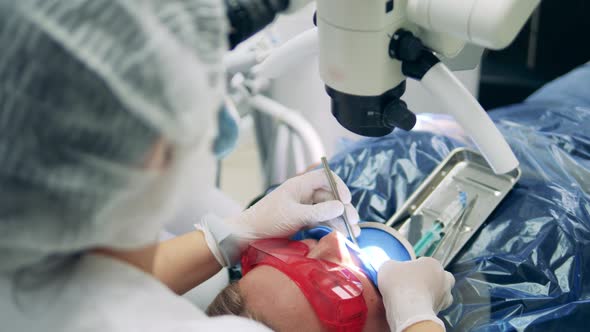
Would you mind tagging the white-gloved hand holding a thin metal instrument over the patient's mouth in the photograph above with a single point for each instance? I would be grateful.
(302, 201)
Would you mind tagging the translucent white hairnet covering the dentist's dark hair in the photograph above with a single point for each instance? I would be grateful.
(88, 88)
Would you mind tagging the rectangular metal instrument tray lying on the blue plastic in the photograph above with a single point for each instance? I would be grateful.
(465, 171)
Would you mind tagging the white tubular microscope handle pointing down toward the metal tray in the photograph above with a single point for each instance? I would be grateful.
(458, 102)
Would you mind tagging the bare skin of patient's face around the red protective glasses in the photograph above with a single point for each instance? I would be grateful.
(276, 300)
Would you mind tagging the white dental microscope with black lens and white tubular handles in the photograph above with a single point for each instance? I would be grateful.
(368, 48)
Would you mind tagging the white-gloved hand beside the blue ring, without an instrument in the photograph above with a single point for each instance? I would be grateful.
(414, 291)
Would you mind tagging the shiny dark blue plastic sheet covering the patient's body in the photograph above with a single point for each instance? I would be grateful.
(529, 266)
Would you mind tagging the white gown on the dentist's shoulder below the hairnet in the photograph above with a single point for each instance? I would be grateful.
(101, 294)
